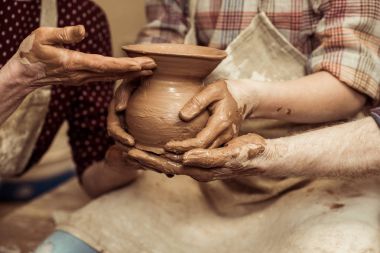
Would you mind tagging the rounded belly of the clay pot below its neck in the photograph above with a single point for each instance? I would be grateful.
(153, 111)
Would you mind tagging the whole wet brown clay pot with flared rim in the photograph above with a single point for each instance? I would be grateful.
(153, 109)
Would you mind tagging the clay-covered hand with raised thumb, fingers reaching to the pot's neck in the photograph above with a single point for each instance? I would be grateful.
(42, 60)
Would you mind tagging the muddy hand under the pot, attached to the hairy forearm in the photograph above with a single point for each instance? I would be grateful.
(236, 158)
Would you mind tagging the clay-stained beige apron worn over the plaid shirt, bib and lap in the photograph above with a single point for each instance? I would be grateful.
(158, 214)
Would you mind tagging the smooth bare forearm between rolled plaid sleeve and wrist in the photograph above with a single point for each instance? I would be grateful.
(316, 98)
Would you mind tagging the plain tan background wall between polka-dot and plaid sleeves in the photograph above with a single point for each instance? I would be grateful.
(126, 17)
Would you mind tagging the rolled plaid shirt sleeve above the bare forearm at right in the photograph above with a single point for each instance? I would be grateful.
(349, 35)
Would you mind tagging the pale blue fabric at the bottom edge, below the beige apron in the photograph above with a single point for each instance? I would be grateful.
(62, 242)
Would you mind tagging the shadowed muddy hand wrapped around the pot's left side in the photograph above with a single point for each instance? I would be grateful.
(116, 123)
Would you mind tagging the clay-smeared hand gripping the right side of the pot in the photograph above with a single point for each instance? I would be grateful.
(227, 108)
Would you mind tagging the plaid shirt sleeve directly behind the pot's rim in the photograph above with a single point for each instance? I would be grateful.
(167, 22)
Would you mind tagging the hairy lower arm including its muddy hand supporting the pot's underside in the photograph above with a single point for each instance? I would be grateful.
(347, 150)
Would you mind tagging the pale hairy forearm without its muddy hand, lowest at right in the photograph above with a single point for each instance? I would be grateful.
(346, 150)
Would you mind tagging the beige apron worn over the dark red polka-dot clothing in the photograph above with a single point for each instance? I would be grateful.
(19, 133)
